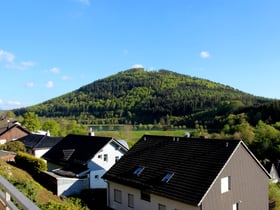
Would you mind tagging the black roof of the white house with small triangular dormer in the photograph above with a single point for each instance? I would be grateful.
(77, 149)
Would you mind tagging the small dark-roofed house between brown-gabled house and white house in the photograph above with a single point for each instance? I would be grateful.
(38, 145)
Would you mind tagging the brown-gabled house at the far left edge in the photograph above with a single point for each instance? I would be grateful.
(11, 130)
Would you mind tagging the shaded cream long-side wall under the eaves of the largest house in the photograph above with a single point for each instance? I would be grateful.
(142, 204)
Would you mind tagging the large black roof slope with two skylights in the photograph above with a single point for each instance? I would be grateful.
(189, 166)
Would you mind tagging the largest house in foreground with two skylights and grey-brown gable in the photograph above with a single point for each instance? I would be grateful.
(161, 172)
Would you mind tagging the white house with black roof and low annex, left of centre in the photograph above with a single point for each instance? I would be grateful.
(78, 162)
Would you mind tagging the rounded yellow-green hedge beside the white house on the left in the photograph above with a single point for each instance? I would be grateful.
(30, 163)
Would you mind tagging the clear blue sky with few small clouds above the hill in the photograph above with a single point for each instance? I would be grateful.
(51, 47)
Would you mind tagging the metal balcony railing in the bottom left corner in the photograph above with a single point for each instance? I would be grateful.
(9, 194)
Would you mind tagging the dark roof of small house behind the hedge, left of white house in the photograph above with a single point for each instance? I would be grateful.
(36, 141)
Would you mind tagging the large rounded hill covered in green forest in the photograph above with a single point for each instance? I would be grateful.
(136, 95)
